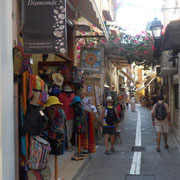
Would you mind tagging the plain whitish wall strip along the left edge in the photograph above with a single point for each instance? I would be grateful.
(7, 167)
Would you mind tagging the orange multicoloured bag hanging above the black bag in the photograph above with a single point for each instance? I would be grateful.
(38, 90)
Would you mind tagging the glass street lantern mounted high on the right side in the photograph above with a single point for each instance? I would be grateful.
(156, 28)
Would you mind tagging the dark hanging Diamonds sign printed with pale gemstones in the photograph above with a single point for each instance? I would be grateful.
(44, 27)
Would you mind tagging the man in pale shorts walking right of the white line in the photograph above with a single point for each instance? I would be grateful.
(161, 119)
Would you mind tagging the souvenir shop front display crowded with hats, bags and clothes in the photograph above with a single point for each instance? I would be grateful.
(51, 115)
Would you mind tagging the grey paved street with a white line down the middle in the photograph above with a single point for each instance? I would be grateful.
(136, 129)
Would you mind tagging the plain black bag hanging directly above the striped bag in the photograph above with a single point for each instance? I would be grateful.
(34, 120)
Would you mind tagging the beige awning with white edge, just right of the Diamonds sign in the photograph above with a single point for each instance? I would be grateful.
(89, 10)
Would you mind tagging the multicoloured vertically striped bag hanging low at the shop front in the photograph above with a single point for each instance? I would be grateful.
(39, 153)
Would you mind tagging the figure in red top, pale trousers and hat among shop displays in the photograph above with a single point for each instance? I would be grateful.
(66, 98)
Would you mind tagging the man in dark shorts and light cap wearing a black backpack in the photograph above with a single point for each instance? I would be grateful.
(109, 123)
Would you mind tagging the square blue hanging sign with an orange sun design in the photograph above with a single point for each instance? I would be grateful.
(91, 60)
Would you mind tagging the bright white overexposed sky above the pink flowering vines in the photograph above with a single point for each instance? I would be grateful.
(133, 15)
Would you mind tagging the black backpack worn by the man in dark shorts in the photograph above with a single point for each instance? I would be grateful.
(111, 117)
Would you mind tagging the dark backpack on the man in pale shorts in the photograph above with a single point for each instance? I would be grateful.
(160, 111)
